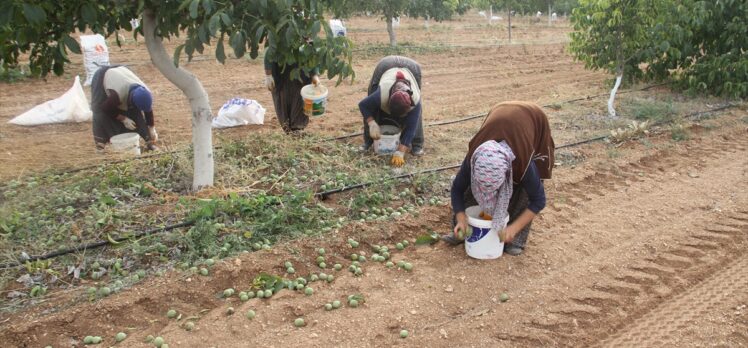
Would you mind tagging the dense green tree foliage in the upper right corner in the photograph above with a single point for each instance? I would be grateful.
(700, 45)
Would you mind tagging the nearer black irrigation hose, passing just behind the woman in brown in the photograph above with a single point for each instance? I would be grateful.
(320, 195)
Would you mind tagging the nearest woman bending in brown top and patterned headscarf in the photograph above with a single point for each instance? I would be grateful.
(503, 171)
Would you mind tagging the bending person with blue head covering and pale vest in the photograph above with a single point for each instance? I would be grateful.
(121, 103)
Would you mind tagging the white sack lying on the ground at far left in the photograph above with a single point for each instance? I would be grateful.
(70, 107)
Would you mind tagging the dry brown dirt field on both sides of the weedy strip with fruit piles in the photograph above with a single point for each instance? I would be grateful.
(641, 244)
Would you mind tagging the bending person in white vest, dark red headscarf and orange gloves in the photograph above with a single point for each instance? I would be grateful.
(395, 98)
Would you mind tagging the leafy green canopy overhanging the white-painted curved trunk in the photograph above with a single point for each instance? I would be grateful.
(42, 30)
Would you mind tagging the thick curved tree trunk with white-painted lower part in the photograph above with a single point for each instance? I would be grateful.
(202, 141)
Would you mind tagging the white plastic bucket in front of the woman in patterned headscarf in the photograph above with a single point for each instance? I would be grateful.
(483, 243)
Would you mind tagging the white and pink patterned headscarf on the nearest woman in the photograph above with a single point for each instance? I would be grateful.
(491, 179)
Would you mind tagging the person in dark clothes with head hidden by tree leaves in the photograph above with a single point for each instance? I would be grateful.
(286, 92)
